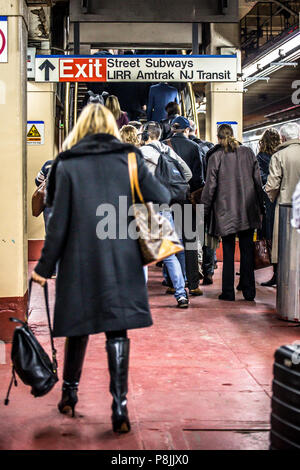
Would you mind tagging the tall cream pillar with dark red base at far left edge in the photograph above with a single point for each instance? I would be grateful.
(13, 201)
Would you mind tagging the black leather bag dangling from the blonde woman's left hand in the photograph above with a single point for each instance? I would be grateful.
(29, 360)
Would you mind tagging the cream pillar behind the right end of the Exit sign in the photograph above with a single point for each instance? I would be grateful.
(224, 100)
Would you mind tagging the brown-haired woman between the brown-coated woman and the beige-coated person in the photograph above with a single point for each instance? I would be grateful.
(267, 146)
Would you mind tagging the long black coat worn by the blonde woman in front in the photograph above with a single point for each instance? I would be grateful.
(100, 283)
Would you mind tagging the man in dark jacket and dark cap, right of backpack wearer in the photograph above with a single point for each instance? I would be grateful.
(190, 153)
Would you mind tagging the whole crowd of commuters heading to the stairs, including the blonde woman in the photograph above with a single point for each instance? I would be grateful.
(240, 193)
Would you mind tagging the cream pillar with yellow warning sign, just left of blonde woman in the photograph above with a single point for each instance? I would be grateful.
(41, 104)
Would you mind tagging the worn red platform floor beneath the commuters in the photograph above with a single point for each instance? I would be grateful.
(199, 379)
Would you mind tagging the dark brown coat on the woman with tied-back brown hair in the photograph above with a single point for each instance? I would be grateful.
(233, 194)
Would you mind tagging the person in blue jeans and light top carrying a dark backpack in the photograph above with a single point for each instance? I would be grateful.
(172, 171)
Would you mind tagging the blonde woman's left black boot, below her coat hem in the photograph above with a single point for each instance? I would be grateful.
(75, 348)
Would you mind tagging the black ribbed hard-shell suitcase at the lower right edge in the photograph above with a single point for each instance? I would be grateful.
(285, 416)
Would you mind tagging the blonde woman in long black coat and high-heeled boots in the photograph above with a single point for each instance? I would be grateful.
(100, 282)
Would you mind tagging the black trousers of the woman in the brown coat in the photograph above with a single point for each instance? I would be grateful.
(247, 280)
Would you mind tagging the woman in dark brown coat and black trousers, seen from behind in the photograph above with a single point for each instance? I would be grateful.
(233, 205)
